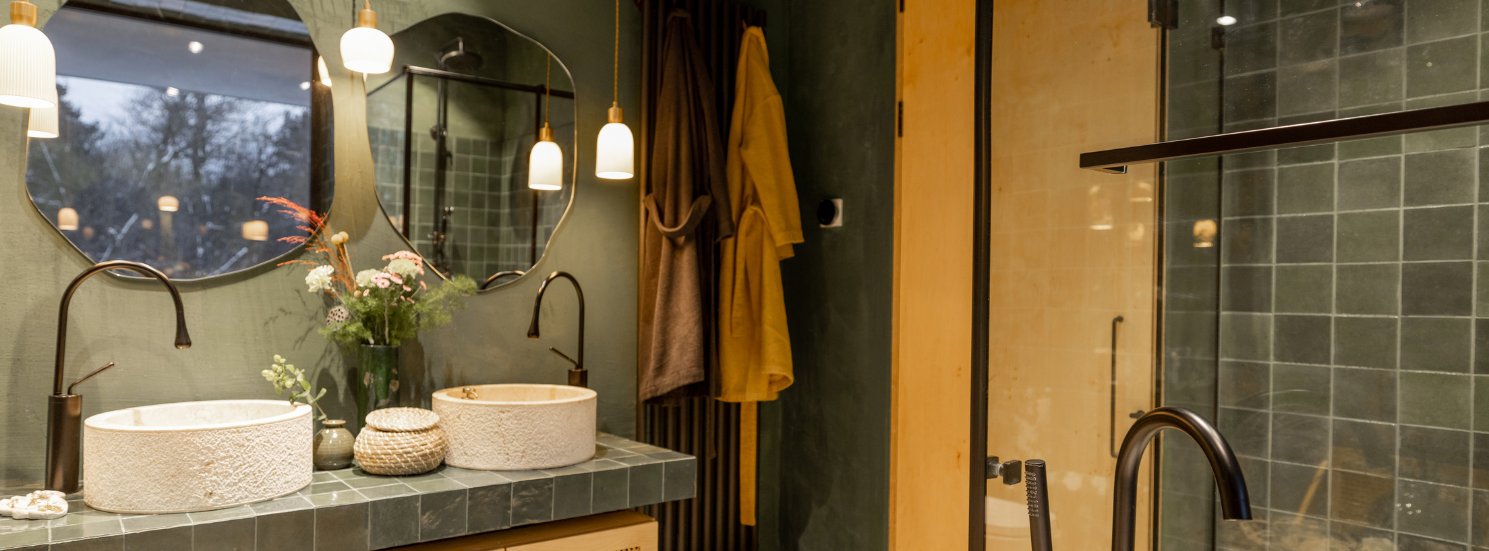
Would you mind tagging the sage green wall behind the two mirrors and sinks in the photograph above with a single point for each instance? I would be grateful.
(242, 321)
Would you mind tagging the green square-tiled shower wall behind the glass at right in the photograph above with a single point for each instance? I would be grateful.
(1353, 369)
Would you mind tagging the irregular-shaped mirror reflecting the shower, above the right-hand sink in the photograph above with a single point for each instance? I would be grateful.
(452, 130)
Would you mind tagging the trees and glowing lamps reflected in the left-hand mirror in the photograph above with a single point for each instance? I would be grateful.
(211, 153)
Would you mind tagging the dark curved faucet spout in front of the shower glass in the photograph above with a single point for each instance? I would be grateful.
(1229, 480)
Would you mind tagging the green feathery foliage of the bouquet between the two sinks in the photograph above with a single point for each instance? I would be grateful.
(392, 316)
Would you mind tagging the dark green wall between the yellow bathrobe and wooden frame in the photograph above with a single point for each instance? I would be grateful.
(826, 443)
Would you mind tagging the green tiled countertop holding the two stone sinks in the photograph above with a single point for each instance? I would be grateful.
(351, 510)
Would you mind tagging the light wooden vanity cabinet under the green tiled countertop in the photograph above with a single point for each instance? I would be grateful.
(622, 531)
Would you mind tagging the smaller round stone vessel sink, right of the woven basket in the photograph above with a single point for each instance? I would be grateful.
(517, 427)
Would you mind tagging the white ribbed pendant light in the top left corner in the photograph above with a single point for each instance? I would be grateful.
(29, 66)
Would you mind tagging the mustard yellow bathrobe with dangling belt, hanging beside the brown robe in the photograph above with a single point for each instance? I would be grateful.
(754, 345)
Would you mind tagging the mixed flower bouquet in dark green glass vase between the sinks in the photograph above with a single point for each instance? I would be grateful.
(374, 310)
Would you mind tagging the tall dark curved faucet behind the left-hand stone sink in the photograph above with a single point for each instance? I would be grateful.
(65, 413)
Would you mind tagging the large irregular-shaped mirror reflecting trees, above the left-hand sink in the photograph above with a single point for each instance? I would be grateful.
(173, 120)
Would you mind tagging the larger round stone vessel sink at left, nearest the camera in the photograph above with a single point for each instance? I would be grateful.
(196, 456)
